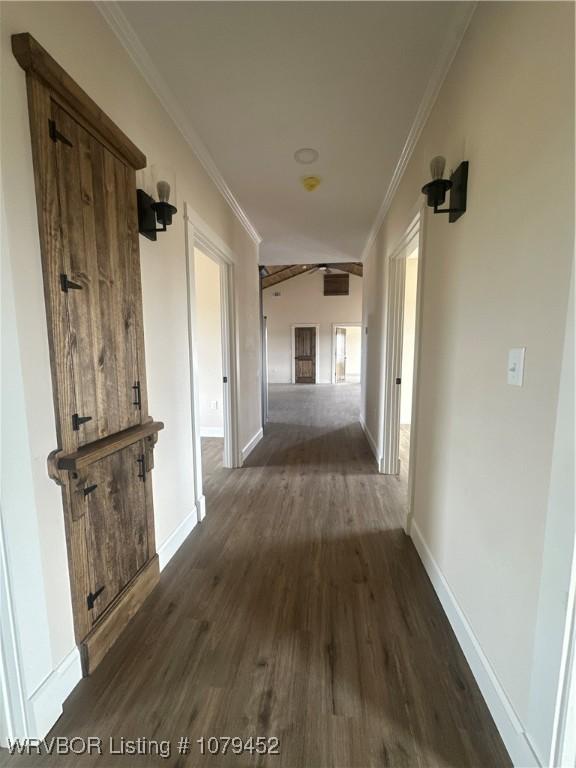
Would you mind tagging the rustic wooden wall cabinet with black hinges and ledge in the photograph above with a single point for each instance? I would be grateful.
(84, 170)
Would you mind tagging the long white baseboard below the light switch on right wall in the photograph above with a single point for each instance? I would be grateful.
(507, 721)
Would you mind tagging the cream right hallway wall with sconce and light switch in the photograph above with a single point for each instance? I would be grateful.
(498, 278)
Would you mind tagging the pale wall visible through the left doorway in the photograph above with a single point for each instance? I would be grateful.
(209, 340)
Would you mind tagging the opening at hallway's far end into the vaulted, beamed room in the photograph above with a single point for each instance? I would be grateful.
(301, 317)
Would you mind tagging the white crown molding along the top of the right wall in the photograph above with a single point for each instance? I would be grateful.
(435, 82)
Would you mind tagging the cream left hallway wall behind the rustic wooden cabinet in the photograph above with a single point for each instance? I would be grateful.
(81, 41)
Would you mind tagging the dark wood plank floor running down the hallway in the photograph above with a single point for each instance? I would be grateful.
(298, 609)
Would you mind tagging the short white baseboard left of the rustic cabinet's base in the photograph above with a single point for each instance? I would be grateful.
(45, 703)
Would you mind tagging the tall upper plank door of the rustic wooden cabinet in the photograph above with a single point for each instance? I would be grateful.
(100, 281)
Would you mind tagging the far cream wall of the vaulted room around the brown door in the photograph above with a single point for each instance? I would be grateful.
(302, 300)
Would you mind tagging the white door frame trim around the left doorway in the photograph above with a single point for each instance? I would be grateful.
(199, 235)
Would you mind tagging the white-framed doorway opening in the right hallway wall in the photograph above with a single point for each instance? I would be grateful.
(401, 363)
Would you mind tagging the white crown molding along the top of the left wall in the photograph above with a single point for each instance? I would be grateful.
(125, 33)
